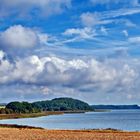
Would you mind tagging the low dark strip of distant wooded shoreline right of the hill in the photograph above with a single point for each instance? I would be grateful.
(115, 107)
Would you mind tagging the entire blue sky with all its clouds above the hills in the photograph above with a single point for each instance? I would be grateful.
(84, 49)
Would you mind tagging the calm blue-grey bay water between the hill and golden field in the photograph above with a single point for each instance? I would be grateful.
(122, 119)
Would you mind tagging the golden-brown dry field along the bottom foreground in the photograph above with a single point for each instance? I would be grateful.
(38, 134)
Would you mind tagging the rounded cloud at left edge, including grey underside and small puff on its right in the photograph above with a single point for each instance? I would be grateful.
(18, 38)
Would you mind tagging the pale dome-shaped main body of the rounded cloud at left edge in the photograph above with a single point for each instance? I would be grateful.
(19, 37)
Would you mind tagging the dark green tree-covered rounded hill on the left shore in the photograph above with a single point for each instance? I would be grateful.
(58, 104)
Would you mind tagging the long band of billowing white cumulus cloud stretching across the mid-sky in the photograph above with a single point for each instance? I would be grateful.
(56, 71)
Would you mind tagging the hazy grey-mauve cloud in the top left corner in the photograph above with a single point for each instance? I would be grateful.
(23, 8)
